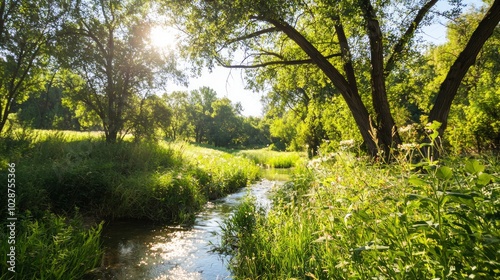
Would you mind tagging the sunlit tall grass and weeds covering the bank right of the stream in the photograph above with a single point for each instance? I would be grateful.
(345, 218)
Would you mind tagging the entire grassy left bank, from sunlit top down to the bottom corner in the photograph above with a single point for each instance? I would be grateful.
(67, 173)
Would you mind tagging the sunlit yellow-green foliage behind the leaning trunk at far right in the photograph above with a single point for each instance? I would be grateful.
(477, 99)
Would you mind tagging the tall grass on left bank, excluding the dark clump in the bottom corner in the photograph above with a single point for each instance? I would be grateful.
(154, 181)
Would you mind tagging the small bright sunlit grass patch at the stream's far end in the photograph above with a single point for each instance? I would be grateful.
(273, 159)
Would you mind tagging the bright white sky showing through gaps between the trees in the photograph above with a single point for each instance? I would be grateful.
(230, 82)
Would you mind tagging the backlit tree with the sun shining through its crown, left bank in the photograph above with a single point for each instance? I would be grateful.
(106, 43)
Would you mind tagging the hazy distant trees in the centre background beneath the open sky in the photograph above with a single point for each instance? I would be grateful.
(201, 116)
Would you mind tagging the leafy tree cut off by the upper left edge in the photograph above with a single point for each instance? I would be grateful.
(27, 30)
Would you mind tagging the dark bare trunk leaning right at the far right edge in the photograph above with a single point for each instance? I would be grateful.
(464, 61)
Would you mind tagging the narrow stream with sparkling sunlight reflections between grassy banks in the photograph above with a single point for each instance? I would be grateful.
(135, 250)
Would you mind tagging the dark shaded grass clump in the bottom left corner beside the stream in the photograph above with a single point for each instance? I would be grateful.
(52, 247)
